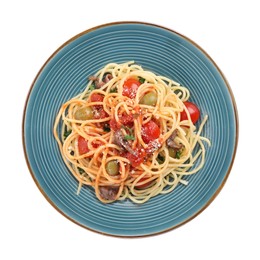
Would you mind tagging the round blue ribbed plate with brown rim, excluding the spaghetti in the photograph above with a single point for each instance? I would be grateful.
(164, 52)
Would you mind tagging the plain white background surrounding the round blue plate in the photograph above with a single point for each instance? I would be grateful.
(30, 228)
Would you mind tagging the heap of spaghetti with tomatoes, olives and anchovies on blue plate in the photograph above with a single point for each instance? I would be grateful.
(129, 134)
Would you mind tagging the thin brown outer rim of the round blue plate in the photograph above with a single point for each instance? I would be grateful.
(233, 102)
